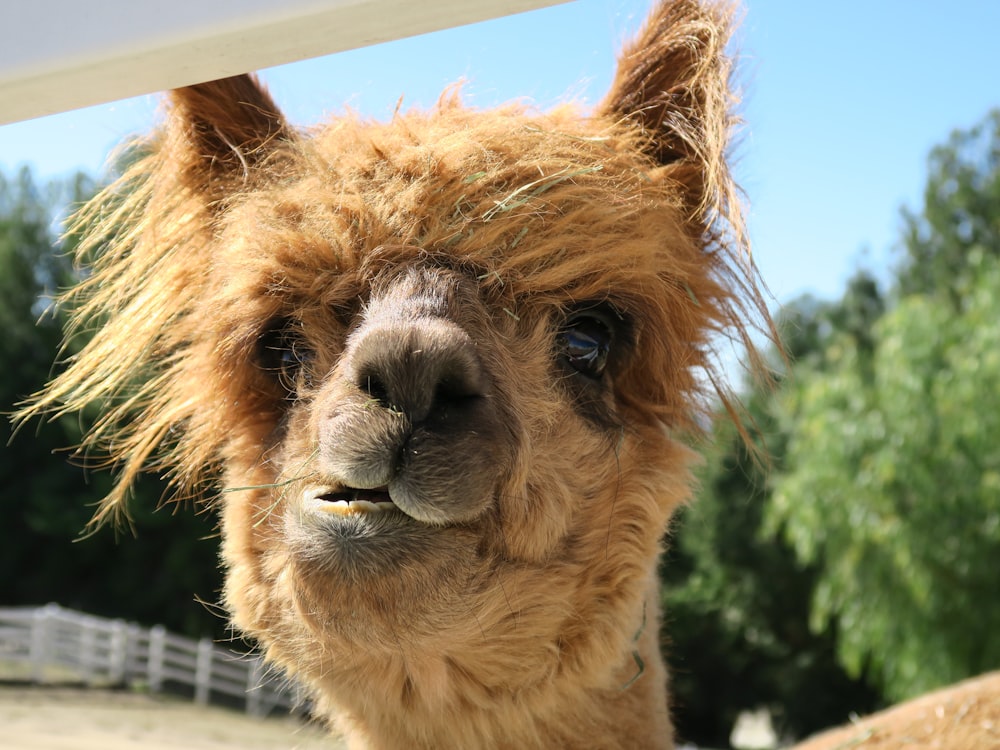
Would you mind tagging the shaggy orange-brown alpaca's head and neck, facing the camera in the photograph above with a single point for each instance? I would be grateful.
(439, 368)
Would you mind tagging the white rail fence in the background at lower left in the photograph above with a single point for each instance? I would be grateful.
(55, 644)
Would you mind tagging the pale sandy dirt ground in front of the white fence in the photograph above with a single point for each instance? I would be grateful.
(49, 718)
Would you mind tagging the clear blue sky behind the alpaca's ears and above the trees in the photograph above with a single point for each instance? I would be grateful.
(842, 102)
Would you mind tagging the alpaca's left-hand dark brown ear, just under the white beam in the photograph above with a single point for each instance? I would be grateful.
(220, 133)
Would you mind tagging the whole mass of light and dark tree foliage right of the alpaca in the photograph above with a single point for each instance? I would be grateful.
(859, 566)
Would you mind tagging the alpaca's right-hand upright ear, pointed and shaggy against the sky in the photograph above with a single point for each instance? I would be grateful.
(672, 82)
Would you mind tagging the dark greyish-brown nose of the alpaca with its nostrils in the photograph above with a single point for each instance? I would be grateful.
(420, 369)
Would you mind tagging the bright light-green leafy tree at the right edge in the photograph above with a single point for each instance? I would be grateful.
(892, 466)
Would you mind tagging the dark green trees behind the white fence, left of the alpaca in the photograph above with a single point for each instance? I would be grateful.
(47, 498)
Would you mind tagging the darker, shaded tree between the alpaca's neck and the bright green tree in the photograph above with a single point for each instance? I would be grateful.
(736, 600)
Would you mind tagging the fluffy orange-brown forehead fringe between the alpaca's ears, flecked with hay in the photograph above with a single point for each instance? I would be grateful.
(552, 206)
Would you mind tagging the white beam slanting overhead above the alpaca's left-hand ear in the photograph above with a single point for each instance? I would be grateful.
(57, 55)
